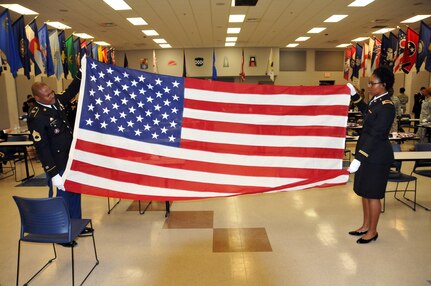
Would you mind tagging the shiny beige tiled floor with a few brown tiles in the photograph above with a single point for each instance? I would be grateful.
(292, 238)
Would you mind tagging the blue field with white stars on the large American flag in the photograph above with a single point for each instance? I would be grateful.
(132, 104)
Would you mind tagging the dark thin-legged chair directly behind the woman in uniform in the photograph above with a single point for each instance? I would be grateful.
(396, 176)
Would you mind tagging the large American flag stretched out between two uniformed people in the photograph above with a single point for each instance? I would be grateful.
(140, 135)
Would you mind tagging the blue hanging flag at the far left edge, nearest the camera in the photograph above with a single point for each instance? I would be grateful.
(8, 43)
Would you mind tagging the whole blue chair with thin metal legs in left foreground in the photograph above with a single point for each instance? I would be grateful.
(47, 220)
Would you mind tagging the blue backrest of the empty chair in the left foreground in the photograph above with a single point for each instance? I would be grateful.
(43, 215)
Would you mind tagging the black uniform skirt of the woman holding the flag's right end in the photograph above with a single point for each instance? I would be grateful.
(371, 180)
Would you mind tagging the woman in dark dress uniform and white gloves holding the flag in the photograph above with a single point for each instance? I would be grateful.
(374, 154)
